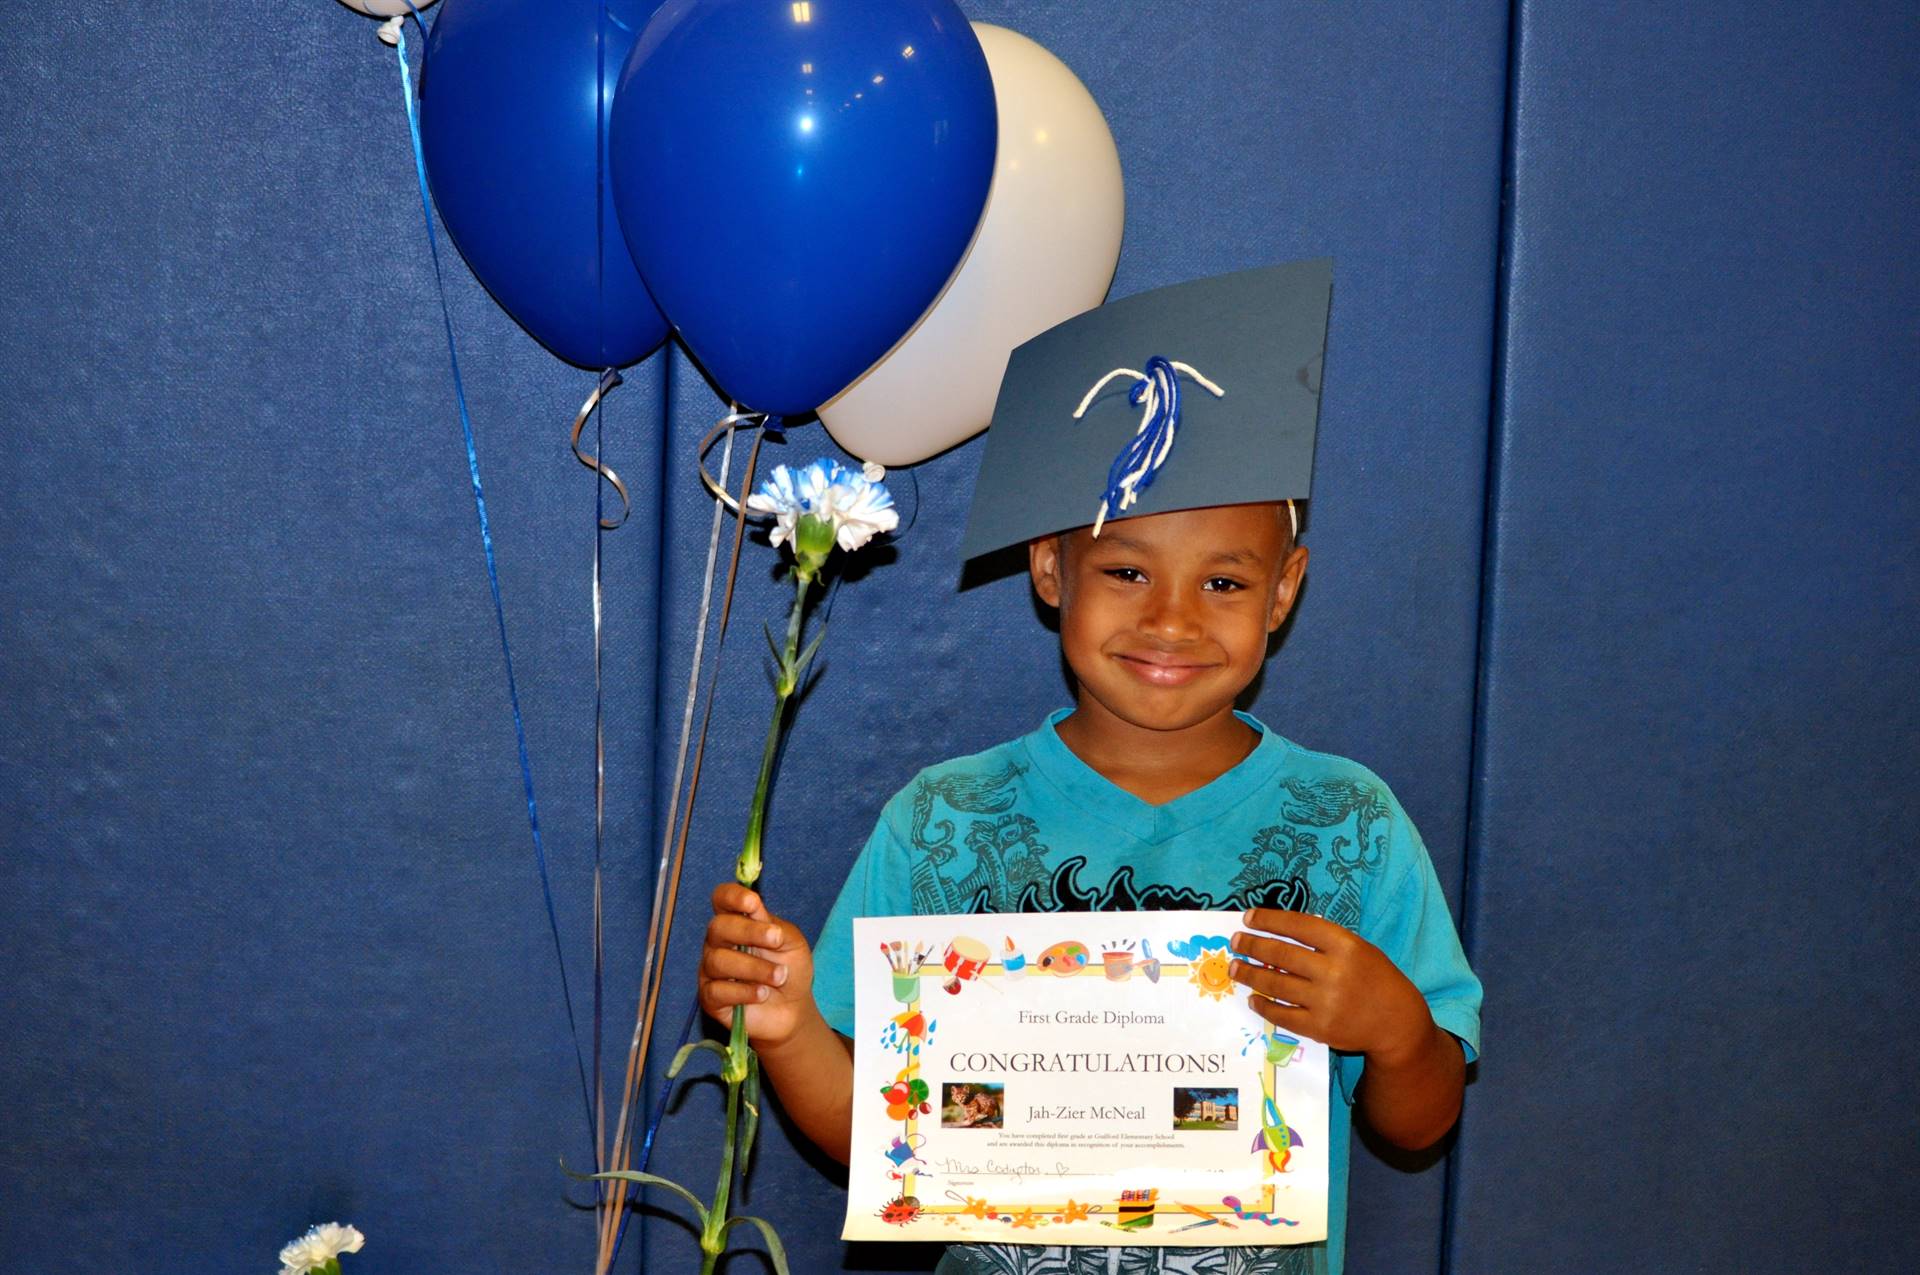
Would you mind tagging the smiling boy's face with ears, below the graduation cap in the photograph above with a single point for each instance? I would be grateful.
(1164, 619)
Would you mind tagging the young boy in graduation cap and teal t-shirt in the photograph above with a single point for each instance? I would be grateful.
(1153, 792)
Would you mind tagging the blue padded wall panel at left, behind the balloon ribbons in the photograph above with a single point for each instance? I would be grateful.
(272, 944)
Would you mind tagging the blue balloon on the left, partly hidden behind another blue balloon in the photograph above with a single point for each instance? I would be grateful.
(514, 122)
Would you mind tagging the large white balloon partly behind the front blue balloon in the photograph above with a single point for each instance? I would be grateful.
(1045, 251)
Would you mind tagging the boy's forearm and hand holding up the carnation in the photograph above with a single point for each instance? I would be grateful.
(802, 1057)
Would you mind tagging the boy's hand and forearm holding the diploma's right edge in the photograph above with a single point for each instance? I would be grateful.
(1335, 988)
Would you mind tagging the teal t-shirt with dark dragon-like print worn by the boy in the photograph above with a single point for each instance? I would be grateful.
(1028, 827)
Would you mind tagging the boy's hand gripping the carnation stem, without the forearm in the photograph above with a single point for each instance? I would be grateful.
(773, 978)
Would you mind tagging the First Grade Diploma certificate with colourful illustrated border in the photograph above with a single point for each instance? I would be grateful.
(1076, 1078)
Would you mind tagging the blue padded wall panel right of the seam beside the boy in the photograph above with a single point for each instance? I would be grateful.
(1692, 882)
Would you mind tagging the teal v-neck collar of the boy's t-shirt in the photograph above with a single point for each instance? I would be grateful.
(1093, 794)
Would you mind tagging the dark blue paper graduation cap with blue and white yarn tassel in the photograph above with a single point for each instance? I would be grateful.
(1180, 398)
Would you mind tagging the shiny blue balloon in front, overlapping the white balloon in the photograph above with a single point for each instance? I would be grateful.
(798, 180)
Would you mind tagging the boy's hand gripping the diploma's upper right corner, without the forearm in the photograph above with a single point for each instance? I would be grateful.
(1337, 990)
